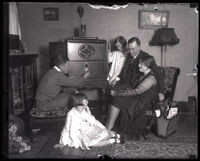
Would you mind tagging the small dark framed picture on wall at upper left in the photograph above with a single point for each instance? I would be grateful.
(51, 14)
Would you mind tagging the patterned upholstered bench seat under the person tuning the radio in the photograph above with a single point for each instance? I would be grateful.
(56, 113)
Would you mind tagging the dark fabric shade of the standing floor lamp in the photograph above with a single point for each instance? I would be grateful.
(164, 36)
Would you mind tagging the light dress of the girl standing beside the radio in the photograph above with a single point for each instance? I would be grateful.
(117, 59)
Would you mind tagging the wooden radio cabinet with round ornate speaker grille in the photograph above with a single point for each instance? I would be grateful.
(84, 55)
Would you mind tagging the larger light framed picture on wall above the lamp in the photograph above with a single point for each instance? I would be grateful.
(153, 19)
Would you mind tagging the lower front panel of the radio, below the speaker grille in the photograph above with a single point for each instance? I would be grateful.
(96, 69)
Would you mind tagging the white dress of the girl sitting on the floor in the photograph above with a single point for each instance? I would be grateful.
(82, 130)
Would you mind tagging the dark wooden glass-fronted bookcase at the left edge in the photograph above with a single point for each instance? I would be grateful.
(22, 85)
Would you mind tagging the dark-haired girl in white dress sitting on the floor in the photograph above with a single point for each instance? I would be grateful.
(82, 130)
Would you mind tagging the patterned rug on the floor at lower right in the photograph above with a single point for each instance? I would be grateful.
(173, 147)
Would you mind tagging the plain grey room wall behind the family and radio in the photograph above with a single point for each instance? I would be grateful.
(107, 24)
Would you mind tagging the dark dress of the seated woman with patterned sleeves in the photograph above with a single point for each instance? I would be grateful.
(133, 108)
